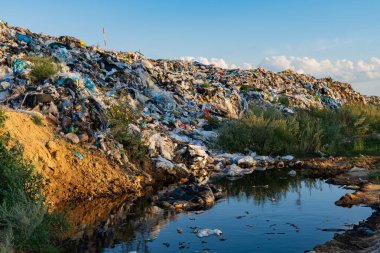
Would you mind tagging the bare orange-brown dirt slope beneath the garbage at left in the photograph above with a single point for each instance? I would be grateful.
(70, 171)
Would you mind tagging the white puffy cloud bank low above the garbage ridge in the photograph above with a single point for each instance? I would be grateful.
(366, 72)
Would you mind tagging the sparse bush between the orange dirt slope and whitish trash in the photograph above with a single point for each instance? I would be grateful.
(120, 116)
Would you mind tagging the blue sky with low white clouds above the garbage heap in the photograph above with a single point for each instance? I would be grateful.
(324, 37)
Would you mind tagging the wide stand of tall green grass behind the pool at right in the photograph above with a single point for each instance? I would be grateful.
(351, 130)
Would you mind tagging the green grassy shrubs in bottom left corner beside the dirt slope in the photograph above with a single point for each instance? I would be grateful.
(25, 223)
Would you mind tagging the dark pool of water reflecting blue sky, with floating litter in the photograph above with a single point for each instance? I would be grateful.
(267, 211)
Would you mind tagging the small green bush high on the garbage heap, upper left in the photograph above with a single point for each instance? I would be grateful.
(42, 68)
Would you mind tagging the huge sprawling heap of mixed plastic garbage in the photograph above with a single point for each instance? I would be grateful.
(178, 100)
